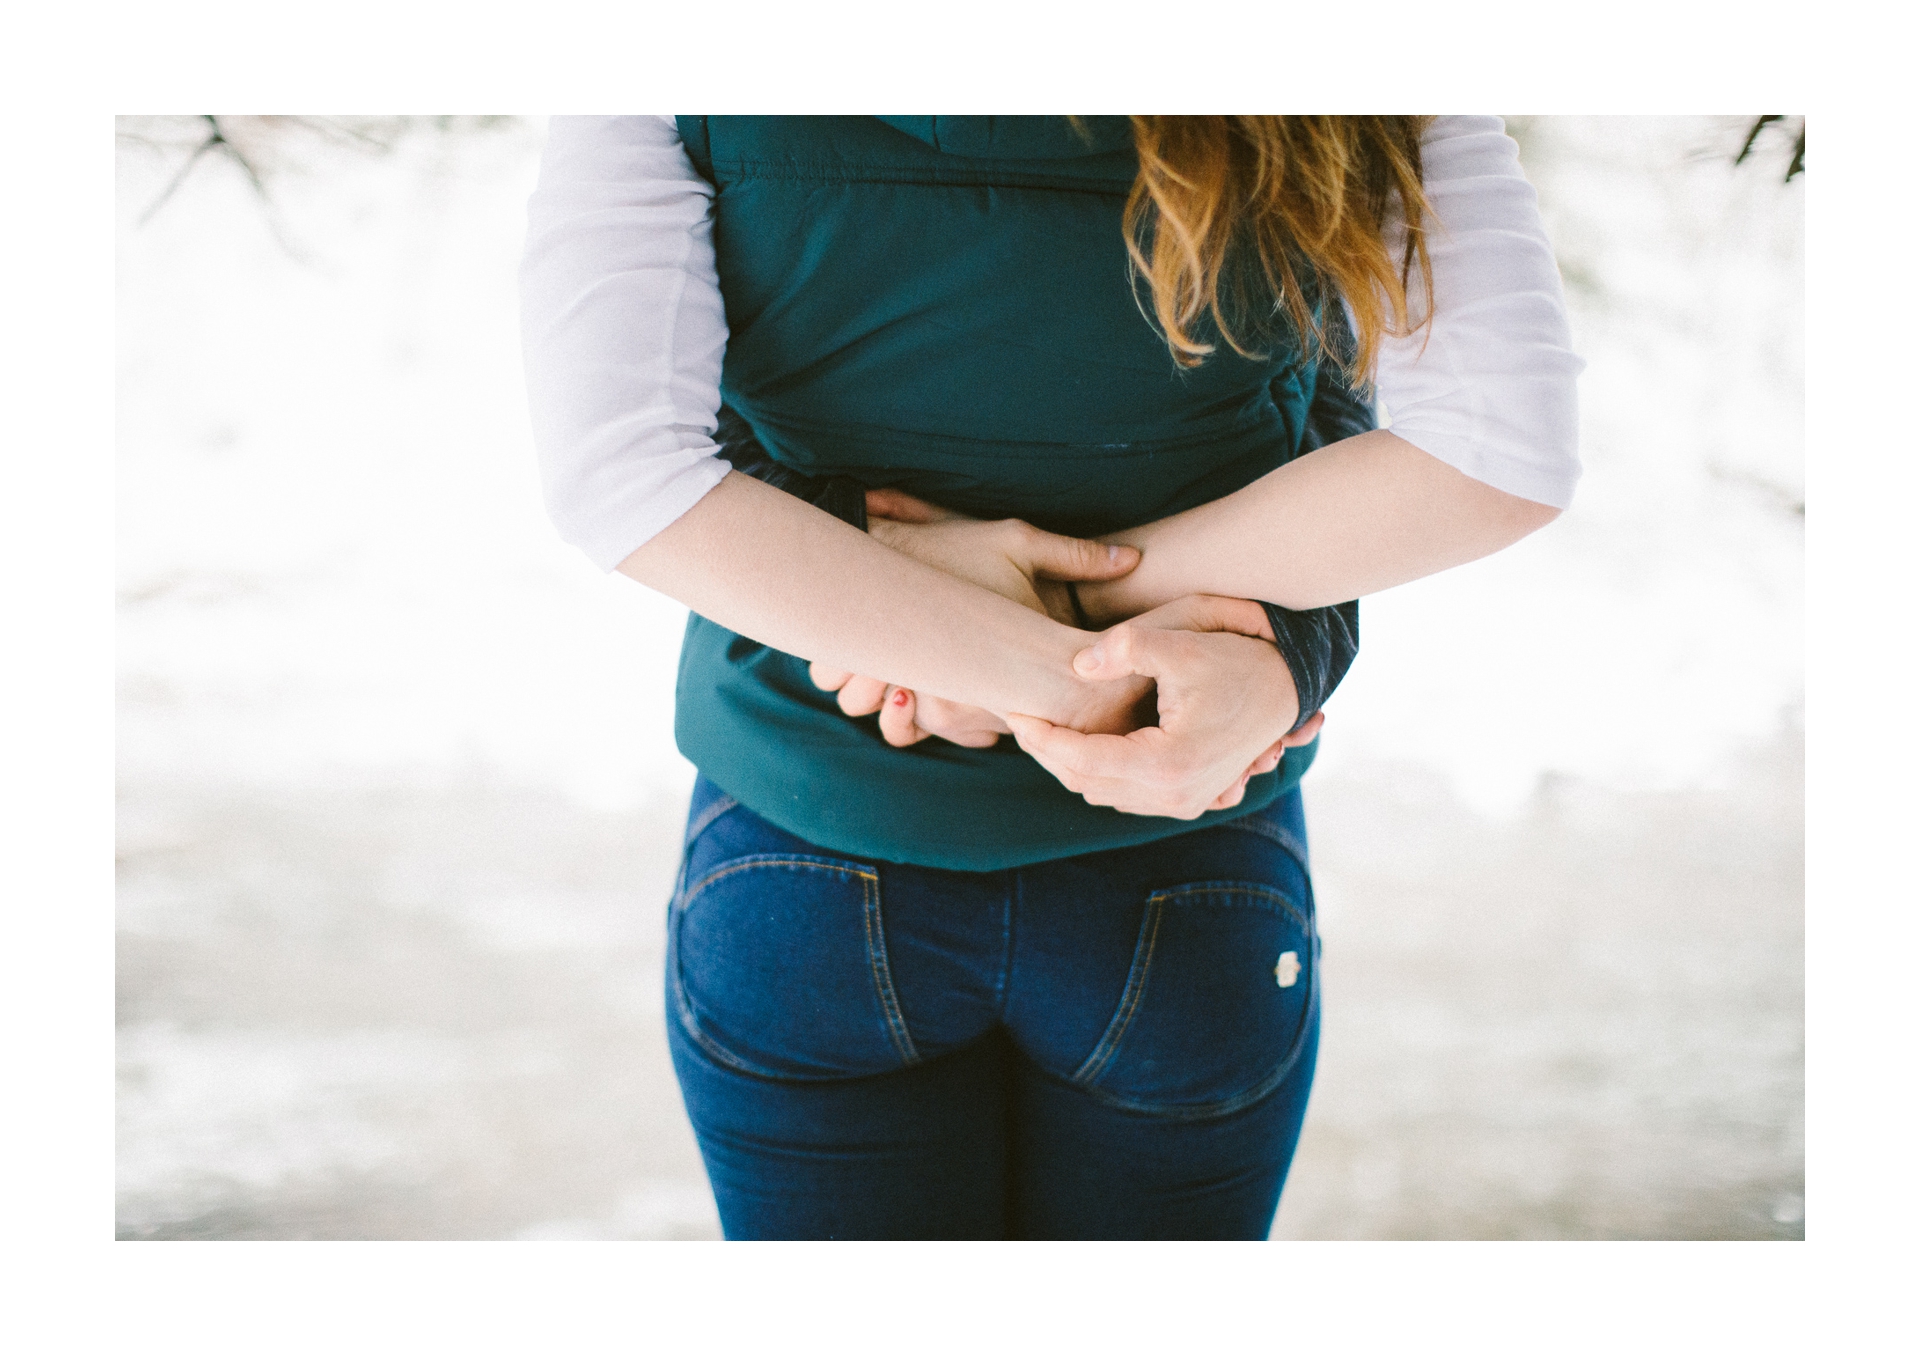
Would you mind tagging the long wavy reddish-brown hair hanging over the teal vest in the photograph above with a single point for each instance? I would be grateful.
(1241, 218)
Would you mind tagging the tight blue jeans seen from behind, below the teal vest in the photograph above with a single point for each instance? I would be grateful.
(1115, 1046)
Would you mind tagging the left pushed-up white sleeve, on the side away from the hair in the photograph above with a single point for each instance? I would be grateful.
(623, 331)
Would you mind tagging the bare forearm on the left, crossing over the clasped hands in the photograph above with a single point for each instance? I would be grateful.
(792, 577)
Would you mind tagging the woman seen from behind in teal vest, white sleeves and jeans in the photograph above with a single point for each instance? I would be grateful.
(1061, 988)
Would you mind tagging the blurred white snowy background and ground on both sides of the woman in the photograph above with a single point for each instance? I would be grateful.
(398, 798)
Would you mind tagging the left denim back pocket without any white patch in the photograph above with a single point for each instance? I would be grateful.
(779, 967)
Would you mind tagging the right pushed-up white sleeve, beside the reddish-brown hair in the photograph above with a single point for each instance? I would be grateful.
(1489, 389)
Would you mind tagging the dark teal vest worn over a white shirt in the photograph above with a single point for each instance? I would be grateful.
(944, 304)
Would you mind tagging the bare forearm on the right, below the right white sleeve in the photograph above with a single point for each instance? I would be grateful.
(1339, 523)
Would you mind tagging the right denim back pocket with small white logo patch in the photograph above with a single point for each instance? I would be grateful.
(1218, 1004)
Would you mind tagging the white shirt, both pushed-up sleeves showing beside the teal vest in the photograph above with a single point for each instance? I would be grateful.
(625, 329)
